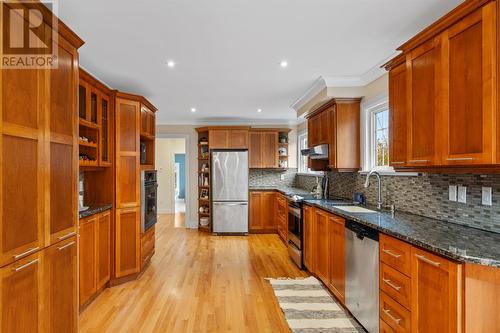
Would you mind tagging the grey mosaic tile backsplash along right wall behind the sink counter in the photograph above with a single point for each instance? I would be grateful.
(425, 195)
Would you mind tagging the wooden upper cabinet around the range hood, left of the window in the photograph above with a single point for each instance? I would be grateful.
(336, 123)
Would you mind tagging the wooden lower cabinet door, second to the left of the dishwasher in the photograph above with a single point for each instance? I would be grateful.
(322, 250)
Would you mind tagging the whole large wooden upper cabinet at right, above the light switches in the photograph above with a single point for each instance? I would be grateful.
(443, 94)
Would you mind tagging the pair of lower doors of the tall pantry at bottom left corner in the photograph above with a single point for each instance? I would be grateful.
(38, 293)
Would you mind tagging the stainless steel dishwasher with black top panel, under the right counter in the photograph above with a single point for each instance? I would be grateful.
(362, 293)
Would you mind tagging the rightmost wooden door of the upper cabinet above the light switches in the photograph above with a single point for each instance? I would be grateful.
(469, 49)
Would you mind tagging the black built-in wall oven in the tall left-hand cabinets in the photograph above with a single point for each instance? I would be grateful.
(149, 201)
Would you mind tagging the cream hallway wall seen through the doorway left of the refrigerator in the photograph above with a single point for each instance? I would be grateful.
(165, 149)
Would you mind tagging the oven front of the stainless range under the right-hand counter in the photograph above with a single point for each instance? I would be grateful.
(295, 232)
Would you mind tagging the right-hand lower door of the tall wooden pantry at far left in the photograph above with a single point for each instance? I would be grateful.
(60, 281)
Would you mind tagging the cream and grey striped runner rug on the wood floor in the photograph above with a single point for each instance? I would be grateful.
(309, 308)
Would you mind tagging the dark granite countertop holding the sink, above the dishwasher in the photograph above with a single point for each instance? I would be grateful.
(454, 241)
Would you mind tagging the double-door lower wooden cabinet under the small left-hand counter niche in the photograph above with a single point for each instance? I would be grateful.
(95, 242)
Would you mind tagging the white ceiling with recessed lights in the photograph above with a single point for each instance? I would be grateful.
(227, 52)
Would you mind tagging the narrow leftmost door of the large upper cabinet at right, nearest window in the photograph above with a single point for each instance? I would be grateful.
(397, 115)
